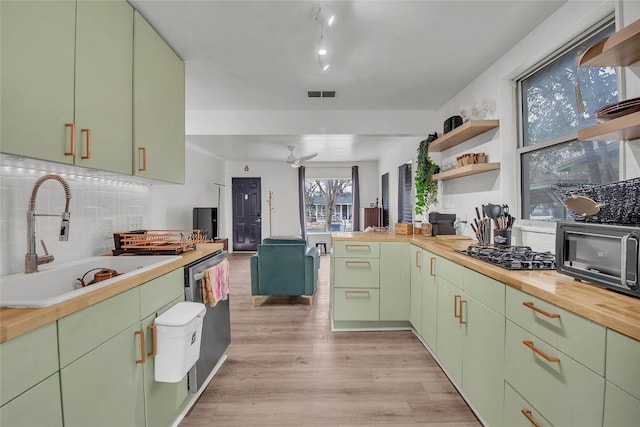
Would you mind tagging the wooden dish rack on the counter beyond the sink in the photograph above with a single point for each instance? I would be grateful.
(157, 242)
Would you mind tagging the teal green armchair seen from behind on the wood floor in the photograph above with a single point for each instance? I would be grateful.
(284, 266)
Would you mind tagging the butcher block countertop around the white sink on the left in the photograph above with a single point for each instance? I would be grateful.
(17, 321)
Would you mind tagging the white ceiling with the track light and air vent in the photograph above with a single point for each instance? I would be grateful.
(384, 55)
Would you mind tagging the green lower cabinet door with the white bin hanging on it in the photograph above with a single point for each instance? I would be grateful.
(163, 401)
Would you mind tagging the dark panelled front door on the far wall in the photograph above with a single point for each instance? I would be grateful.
(247, 220)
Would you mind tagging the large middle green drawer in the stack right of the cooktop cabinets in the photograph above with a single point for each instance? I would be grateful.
(564, 391)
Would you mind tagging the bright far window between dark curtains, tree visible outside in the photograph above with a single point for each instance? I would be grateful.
(328, 205)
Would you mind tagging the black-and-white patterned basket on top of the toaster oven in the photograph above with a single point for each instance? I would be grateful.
(617, 201)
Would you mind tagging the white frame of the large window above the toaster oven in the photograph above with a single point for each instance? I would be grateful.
(597, 27)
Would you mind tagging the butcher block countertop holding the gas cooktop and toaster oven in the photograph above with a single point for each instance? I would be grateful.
(611, 309)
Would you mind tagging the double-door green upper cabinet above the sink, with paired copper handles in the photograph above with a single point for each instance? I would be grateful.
(67, 82)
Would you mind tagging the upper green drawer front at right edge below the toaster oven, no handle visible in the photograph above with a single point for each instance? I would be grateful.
(623, 362)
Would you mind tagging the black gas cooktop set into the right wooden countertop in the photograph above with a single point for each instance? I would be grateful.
(512, 257)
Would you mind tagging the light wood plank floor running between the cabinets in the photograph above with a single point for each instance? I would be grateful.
(286, 368)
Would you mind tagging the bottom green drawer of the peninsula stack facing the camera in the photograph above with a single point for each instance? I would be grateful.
(356, 304)
